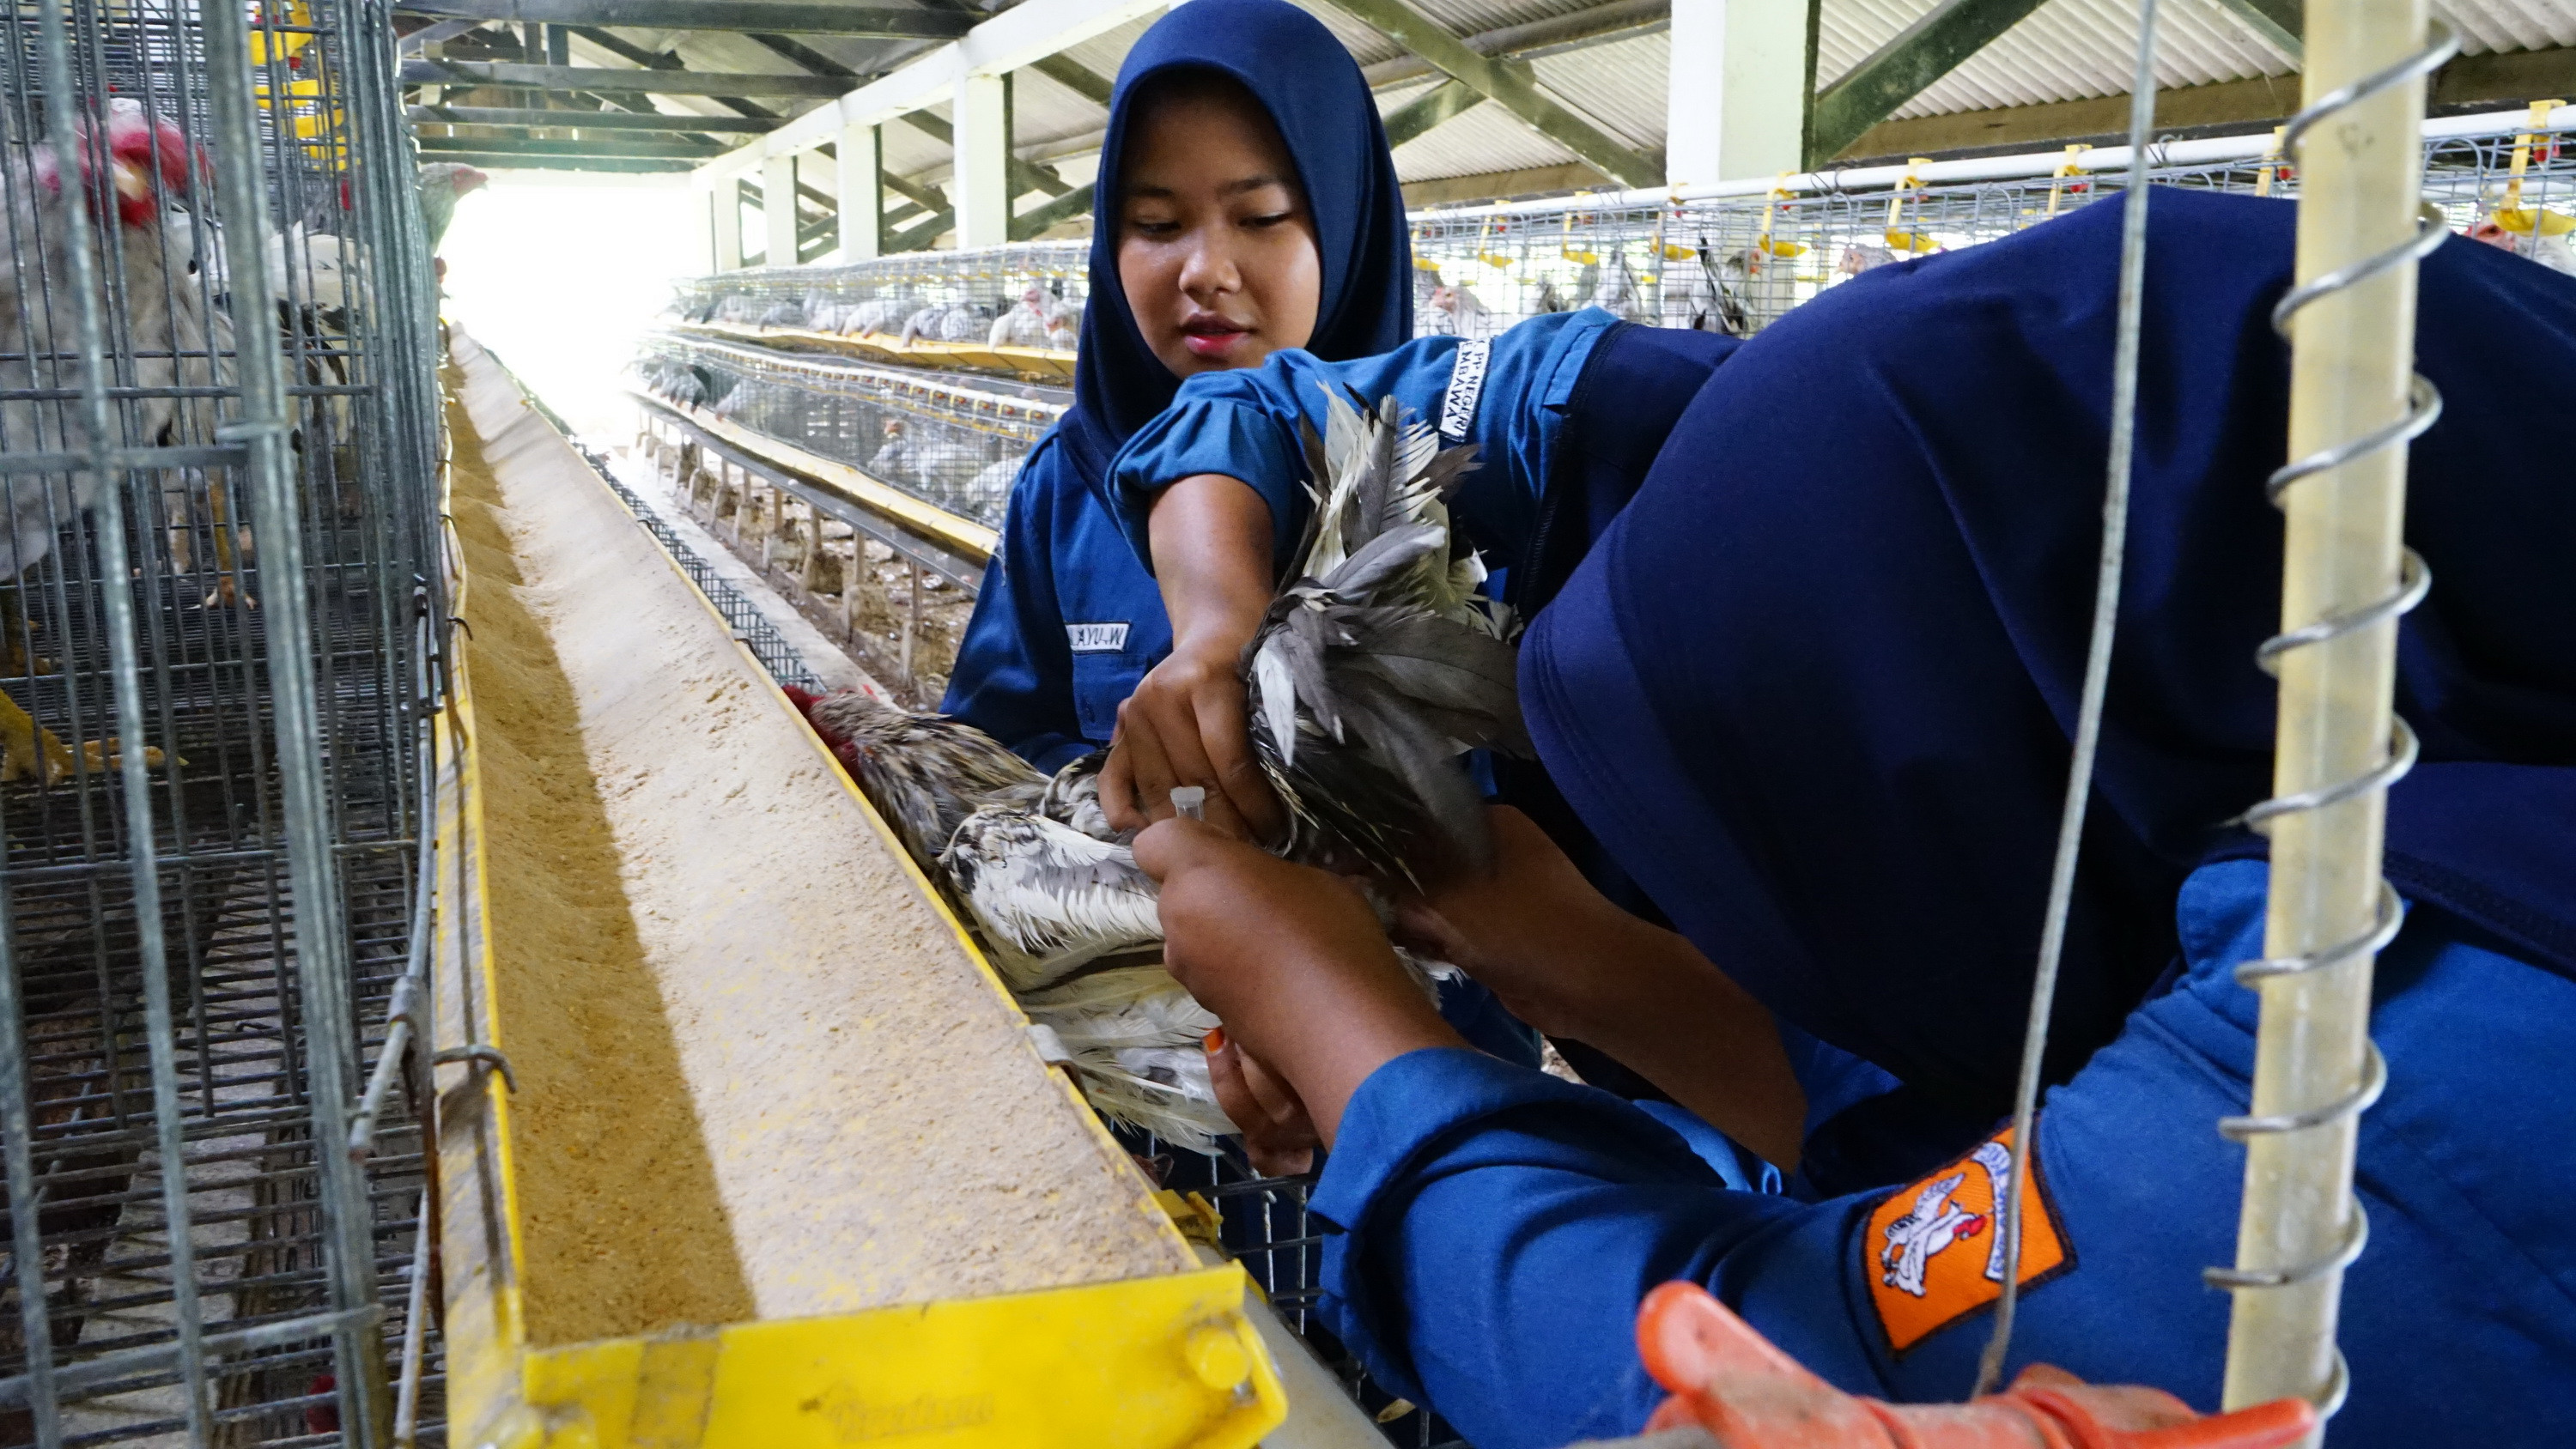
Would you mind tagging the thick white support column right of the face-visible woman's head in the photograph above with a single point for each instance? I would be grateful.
(1738, 91)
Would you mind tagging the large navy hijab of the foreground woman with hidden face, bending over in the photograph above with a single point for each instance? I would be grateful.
(1815, 686)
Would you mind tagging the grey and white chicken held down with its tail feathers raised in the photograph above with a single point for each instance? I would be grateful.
(1374, 673)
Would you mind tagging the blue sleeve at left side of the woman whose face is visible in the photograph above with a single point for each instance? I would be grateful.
(1014, 673)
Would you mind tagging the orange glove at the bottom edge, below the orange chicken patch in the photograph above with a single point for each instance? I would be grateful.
(1748, 1394)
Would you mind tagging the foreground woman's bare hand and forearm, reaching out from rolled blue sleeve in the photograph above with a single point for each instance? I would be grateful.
(1292, 961)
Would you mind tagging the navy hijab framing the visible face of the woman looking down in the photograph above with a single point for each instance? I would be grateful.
(1331, 122)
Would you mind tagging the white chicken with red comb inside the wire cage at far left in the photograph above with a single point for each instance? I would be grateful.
(166, 336)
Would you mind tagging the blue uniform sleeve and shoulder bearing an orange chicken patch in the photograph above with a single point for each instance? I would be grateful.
(1498, 1229)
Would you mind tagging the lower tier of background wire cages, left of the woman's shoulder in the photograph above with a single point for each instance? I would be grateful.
(947, 439)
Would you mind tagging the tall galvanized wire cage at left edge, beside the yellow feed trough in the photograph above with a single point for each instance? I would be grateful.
(218, 444)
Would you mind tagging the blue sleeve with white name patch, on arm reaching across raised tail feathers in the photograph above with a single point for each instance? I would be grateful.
(1245, 426)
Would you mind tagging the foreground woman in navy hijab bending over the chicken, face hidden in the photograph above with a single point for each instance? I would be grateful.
(1815, 691)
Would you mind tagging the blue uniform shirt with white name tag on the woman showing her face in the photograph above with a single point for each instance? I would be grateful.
(1065, 627)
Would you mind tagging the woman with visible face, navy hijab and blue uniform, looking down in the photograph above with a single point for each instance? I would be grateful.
(1245, 205)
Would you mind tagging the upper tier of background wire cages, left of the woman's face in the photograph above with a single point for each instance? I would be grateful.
(947, 297)
